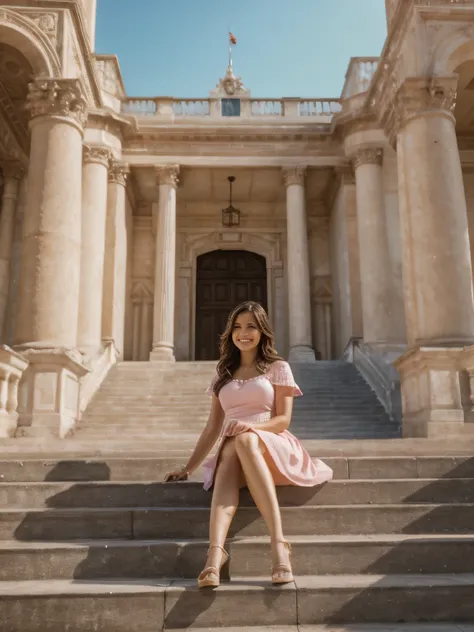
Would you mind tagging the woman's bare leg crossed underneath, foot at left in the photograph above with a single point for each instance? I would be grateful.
(225, 499)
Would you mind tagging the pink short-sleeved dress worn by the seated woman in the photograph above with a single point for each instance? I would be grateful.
(253, 402)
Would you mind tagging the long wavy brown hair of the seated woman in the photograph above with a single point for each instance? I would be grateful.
(230, 355)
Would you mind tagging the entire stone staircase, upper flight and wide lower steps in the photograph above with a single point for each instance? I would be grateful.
(92, 541)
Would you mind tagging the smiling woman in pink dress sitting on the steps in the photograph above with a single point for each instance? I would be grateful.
(252, 401)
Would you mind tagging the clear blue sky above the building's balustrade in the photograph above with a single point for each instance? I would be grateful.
(285, 47)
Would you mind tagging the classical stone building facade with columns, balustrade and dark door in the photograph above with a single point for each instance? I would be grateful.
(350, 217)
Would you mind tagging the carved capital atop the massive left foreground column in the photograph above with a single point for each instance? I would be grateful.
(58, 97)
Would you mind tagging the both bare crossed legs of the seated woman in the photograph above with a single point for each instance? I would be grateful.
(241, 462)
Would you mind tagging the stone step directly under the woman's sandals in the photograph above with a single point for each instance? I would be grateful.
(148, 606)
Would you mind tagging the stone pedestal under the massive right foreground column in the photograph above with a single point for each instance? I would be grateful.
(432, 404)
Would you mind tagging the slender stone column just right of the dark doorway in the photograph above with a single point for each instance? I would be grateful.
(299, 291)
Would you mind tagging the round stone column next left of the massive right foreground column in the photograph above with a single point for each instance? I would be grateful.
(374, 252)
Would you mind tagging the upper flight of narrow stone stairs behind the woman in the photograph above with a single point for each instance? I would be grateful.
(148, 403)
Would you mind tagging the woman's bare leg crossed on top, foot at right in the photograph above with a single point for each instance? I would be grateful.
(262, 487)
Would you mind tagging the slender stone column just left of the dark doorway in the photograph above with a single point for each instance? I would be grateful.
(165, 265)
